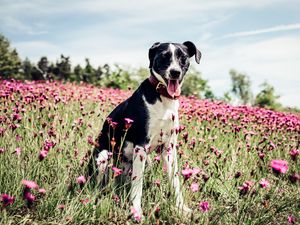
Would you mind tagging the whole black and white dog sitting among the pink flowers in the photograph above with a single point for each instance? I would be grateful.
(153, 107)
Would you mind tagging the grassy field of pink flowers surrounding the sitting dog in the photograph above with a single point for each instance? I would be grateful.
(238, 165)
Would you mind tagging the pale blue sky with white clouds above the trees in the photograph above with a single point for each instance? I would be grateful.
(258, 38)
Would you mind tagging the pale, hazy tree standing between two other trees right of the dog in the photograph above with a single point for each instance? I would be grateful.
(241, 87)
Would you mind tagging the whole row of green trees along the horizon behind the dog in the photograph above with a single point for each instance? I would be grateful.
(117, 76)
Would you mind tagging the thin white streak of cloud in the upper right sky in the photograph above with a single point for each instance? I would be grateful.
(284, 27)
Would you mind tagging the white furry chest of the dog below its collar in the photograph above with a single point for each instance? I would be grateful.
(163, 118)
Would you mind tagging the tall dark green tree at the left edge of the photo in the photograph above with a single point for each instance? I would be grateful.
(10, 63)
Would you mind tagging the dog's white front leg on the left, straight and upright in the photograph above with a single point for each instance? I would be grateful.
(138, 166)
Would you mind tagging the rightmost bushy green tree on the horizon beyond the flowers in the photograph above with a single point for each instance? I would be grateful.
(267, 98)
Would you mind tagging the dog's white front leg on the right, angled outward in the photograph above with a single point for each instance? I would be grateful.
(170, 160)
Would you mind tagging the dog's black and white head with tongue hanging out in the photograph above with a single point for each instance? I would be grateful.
(169, 63)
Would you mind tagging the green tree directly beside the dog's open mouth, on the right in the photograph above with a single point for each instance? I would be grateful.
(194, 84)
